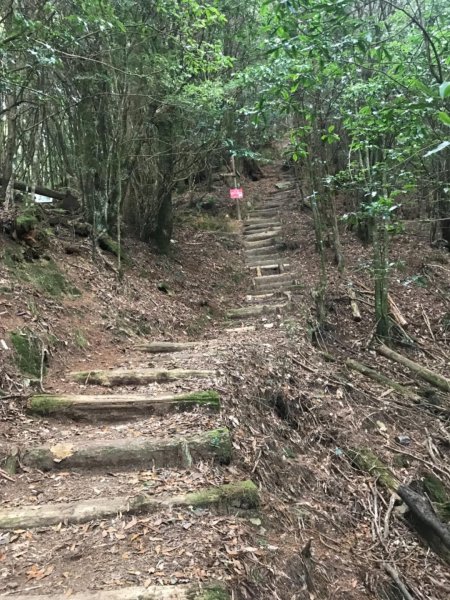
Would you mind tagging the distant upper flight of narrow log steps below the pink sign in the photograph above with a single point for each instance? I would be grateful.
(272, 281)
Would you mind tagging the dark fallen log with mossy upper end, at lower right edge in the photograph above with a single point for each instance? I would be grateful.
(422, 516)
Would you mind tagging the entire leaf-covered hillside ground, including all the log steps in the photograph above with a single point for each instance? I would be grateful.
(186, 429)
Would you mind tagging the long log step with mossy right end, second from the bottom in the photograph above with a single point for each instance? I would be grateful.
(242, 495)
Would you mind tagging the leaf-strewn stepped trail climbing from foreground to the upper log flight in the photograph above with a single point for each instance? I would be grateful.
(98, 450)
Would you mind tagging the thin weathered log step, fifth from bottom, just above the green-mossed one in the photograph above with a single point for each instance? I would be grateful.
(136, 377)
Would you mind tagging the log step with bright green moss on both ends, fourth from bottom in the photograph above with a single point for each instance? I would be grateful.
(120, 405)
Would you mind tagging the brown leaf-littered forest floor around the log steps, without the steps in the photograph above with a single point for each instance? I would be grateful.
(293, 407)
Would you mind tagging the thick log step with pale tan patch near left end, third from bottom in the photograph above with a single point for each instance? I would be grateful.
(136, 453)
